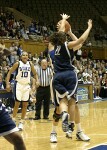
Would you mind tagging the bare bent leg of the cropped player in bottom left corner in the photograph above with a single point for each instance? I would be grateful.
(16, 139)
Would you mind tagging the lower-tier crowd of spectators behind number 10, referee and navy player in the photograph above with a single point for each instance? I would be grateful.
(89, 70)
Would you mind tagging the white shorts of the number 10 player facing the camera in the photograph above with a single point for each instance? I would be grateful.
(22, 92)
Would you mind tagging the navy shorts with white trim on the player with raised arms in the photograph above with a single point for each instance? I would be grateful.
(65, 83)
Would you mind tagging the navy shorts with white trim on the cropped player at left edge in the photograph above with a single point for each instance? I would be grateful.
(7, 125)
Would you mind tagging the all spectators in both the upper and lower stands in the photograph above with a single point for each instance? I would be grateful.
(89, 70)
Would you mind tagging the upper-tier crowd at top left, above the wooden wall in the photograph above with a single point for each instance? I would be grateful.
(13, 29)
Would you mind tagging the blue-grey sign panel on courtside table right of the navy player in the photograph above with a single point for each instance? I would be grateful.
(82, 93)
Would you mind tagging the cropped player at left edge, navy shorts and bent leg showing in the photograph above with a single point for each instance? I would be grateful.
(8, 128)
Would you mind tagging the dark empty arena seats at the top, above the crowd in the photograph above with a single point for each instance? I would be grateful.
(49, 11)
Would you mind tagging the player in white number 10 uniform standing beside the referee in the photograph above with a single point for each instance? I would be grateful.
(23, 70)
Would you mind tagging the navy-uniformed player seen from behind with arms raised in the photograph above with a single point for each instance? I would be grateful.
(65, 81)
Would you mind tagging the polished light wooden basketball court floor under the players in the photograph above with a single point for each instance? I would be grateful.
(36, 133)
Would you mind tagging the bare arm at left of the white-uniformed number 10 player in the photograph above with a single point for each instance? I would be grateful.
(12, 69)
